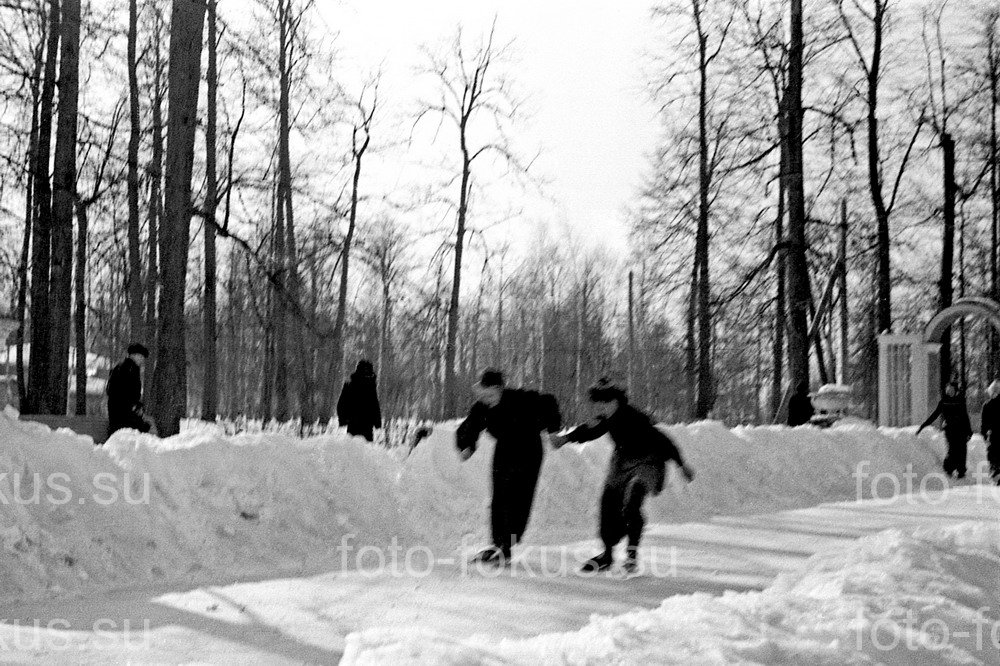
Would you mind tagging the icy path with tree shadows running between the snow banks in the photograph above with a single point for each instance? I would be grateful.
(308, 619)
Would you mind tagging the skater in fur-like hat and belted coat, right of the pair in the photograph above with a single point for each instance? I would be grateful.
(637, 468)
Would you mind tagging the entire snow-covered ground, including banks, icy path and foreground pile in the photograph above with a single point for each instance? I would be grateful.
(260, 547)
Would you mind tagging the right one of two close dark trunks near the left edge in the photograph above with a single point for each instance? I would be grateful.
(63, 195)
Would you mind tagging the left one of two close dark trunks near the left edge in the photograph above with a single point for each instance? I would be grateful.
(38, 364)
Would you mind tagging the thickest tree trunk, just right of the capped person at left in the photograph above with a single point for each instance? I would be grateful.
(170, 381)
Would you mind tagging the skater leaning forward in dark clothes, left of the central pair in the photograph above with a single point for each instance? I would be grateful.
(515, 418)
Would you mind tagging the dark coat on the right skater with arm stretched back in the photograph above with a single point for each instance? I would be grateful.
(638, 442)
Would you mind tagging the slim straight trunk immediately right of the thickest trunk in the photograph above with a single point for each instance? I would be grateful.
(210, 388)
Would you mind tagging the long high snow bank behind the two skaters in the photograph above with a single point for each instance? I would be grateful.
(202, 506)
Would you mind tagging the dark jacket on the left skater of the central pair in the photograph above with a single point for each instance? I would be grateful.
(516, 423)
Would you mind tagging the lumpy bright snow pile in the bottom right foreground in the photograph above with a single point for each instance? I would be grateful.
(928, 597)
